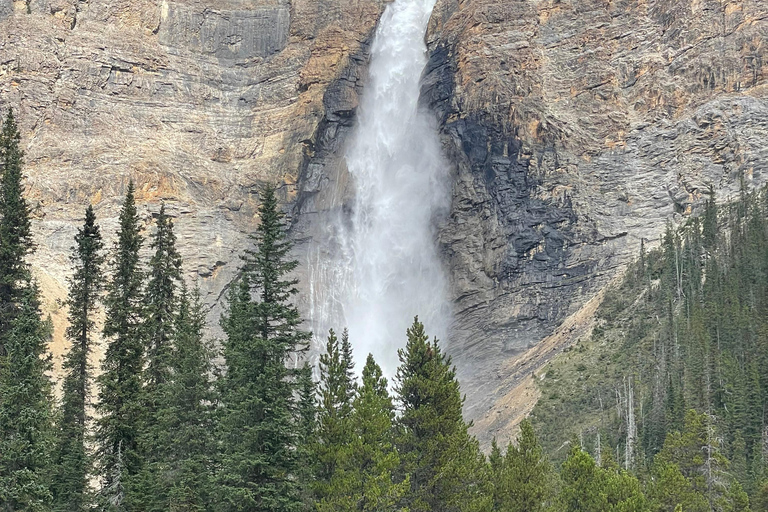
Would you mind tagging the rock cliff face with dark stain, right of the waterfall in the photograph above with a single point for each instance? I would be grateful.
(578, 129)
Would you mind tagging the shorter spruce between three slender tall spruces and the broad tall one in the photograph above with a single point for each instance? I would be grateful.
(180, 442)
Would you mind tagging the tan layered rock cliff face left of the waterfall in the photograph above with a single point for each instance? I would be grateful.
(199, 102)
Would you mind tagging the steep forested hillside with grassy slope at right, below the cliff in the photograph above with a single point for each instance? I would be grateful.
(674, 379)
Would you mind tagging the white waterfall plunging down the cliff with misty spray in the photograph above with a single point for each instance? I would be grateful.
(386, 267)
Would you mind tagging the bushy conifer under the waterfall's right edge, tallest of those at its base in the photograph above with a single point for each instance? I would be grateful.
(443, 461)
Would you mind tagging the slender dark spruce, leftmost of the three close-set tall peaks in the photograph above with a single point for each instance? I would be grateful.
(72, 460)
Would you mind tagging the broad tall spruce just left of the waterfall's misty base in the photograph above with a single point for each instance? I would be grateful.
(259, 425)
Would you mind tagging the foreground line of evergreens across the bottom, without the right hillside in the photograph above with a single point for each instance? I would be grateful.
(174, 422)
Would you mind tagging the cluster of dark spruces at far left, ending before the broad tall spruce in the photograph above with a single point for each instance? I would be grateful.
(152, 444)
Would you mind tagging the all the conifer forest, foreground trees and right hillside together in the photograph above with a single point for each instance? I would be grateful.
(662, 409)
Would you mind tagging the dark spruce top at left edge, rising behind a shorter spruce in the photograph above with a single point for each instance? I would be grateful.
(15, 228)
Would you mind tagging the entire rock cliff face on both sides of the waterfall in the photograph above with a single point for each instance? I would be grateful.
(575, 128)
